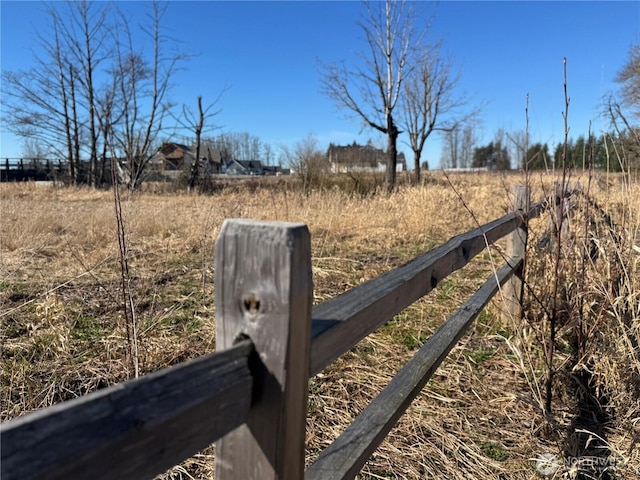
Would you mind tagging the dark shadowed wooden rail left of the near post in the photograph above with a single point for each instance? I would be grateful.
(135, 429)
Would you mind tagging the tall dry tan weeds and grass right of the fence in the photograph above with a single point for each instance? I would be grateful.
(594, 421)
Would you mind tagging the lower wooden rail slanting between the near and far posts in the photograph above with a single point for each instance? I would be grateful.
(344, 458)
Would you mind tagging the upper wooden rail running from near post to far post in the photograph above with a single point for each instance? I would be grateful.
(341, 322)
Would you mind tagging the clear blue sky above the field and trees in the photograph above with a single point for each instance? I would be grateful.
(267, 53)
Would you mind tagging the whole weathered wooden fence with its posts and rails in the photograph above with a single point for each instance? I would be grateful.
(251, 395)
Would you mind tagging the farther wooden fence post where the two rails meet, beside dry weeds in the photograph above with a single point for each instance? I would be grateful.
(516, 248)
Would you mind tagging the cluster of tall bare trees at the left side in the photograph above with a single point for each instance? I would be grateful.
(59, 103)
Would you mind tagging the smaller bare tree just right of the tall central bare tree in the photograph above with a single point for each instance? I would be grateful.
(429, 103)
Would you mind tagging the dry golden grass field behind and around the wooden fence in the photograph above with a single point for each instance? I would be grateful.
(480, 416)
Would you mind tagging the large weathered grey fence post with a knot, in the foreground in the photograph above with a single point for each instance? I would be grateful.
(264, 291)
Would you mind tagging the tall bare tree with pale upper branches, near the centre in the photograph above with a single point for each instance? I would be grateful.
(371, 92)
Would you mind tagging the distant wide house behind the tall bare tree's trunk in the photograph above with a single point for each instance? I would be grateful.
(361, 158)
